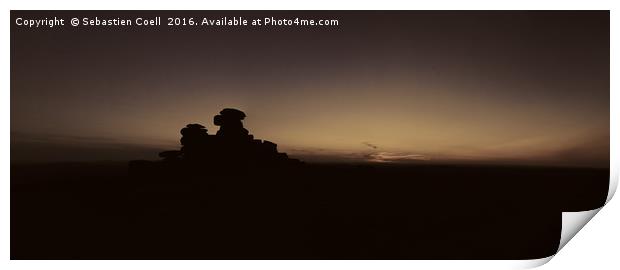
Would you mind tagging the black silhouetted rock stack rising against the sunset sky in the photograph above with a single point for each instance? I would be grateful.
(231, 146)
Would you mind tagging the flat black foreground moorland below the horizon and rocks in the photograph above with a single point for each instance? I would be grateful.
(100, 211)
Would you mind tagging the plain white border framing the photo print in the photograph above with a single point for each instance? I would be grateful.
(596, 248)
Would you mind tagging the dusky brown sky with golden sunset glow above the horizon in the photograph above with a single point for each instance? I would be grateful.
(512, 87)
